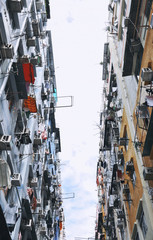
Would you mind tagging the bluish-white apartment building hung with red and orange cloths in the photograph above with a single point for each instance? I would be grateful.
(30, 175)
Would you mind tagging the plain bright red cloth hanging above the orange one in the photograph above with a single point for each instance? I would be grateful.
(28, 72)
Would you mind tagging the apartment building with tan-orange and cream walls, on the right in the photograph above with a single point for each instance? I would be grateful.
(125, 167)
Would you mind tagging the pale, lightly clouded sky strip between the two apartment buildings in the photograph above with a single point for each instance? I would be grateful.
(78, 38)
